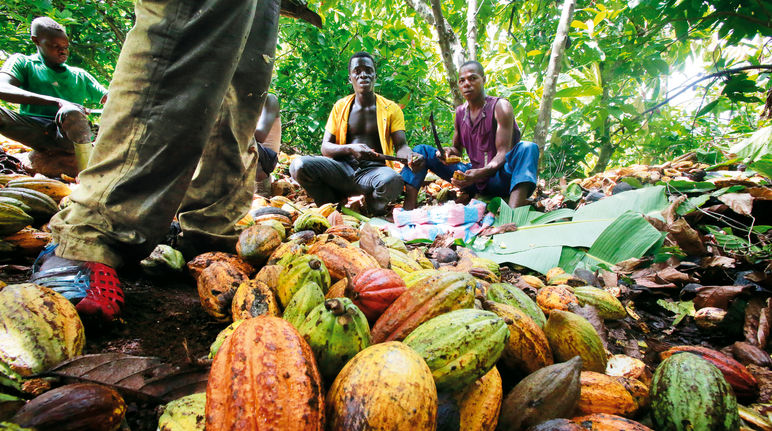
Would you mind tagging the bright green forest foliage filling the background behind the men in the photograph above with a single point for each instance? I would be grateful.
(640, 81)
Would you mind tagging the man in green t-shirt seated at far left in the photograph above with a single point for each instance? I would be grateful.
(51, 120)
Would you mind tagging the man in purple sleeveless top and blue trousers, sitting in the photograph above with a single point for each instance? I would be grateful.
(500, 164)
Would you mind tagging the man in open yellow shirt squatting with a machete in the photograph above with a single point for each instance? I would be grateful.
(361, 126)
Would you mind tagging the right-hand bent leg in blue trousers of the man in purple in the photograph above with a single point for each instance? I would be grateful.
(516, 179)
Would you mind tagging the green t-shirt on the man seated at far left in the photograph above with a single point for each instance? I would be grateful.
(72, 84)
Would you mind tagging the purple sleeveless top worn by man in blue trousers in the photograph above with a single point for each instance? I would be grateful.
(479, 136)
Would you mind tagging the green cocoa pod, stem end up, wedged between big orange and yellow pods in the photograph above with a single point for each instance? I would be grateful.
(336, 331)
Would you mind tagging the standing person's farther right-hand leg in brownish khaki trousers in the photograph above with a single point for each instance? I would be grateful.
(224, 183)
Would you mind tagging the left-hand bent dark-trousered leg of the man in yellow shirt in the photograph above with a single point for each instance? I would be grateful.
(324, 179)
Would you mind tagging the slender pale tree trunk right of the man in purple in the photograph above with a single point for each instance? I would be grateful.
(551, 78)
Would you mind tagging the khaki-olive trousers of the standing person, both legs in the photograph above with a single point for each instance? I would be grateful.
(174, 138)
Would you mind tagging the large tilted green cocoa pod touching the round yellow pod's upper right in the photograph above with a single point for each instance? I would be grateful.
(460, 346)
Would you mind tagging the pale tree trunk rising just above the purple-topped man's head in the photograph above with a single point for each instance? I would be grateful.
(453, 54)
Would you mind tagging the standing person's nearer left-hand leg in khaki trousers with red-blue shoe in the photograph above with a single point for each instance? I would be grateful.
(172, 75)
